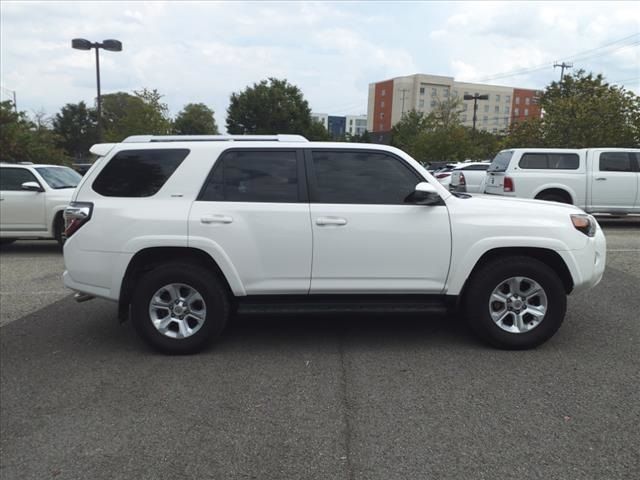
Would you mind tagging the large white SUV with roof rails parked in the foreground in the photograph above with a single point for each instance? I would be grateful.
(183, 231)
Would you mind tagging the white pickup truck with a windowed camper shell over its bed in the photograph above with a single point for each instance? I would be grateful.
(597, 180)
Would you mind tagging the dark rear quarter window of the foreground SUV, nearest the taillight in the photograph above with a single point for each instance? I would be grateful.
(138, 173)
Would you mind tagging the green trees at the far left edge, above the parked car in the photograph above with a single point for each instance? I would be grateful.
(24, 140)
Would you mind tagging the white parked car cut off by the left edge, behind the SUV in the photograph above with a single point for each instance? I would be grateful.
(33, 199)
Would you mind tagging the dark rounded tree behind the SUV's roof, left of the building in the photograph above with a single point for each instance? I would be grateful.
(269, 107)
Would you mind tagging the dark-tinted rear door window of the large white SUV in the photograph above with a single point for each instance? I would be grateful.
(254, 176)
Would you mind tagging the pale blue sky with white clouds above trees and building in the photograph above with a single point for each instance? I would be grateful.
(204, 51)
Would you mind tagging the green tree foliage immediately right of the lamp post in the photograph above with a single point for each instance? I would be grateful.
(143, 113)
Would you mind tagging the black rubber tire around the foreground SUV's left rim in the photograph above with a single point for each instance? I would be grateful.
(207, 284)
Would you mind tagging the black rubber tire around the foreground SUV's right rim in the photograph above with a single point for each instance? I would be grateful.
(485, 279)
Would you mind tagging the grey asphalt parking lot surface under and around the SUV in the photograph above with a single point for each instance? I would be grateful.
(319, 397)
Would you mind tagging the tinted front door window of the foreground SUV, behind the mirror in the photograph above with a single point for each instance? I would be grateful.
(361, 178)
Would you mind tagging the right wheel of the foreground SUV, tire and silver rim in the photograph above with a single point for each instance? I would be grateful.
(515, 302)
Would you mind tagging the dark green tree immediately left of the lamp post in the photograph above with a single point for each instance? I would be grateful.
(76, 127)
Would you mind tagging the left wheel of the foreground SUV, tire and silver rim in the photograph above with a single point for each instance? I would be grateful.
(179, 308)
